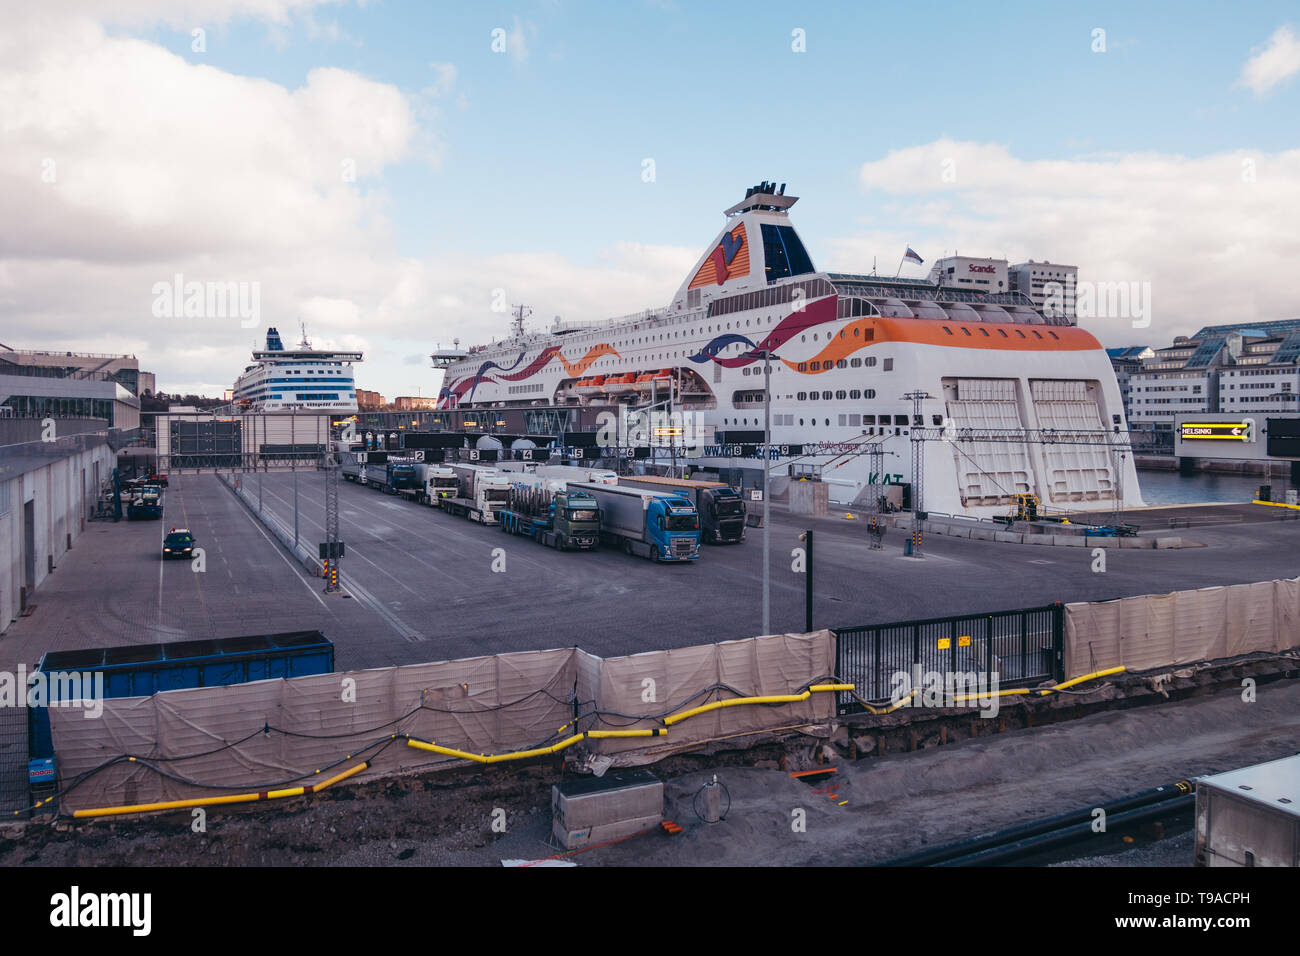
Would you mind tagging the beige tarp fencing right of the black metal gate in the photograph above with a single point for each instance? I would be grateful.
(1185, 626)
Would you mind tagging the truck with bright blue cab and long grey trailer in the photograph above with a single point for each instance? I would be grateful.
(661, 526)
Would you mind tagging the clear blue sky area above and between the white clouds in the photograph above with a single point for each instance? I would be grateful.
(544, 152)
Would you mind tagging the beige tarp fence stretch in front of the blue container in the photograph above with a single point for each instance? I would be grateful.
(271, 733)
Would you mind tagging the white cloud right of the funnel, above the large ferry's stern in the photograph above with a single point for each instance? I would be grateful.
(1214, 244)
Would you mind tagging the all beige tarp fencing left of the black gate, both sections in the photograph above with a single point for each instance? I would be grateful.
(272, 733)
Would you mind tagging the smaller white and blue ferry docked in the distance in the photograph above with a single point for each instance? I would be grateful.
(305, 378)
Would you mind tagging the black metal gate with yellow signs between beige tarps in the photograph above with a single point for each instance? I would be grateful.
(1022, 648)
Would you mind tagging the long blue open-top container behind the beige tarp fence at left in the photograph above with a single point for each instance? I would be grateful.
(142, 671)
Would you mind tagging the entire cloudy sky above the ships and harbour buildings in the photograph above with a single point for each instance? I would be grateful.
(382, 170)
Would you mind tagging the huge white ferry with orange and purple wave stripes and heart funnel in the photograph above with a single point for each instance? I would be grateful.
(1019, 400)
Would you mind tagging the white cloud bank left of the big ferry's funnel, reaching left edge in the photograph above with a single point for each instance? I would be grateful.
(163, 168)
